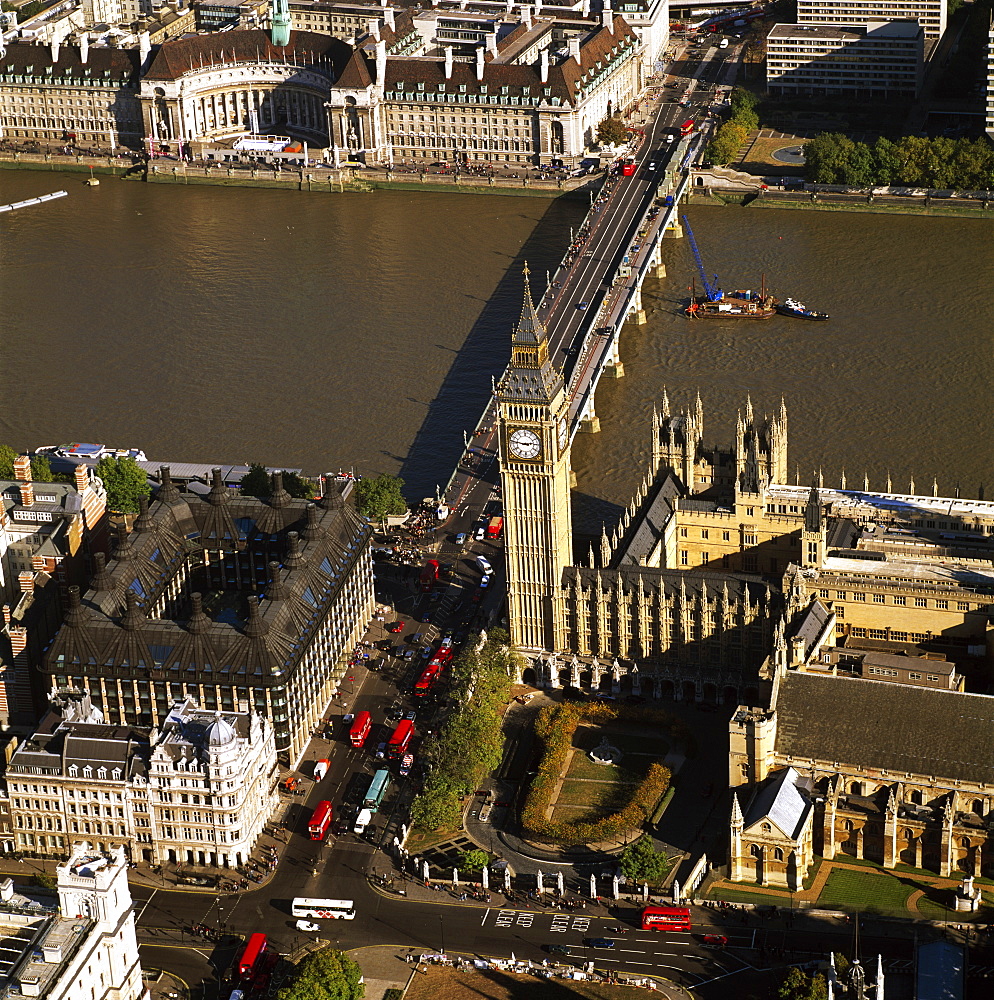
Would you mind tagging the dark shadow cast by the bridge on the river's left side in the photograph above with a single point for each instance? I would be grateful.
(466, 389)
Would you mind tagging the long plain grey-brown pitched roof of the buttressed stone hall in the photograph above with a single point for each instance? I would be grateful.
(895, 727)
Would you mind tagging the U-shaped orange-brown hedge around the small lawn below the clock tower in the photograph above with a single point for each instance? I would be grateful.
(555, 726)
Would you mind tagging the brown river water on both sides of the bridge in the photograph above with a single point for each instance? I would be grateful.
(317, 331)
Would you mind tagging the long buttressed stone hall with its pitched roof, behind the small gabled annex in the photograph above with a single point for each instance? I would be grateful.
(877, 769)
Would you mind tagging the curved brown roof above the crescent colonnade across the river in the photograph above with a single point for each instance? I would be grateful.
(310, 49)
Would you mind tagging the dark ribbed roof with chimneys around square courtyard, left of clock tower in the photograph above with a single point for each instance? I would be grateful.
(311, 550)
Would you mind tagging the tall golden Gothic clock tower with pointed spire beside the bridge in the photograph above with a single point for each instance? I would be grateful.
(534, 458)
